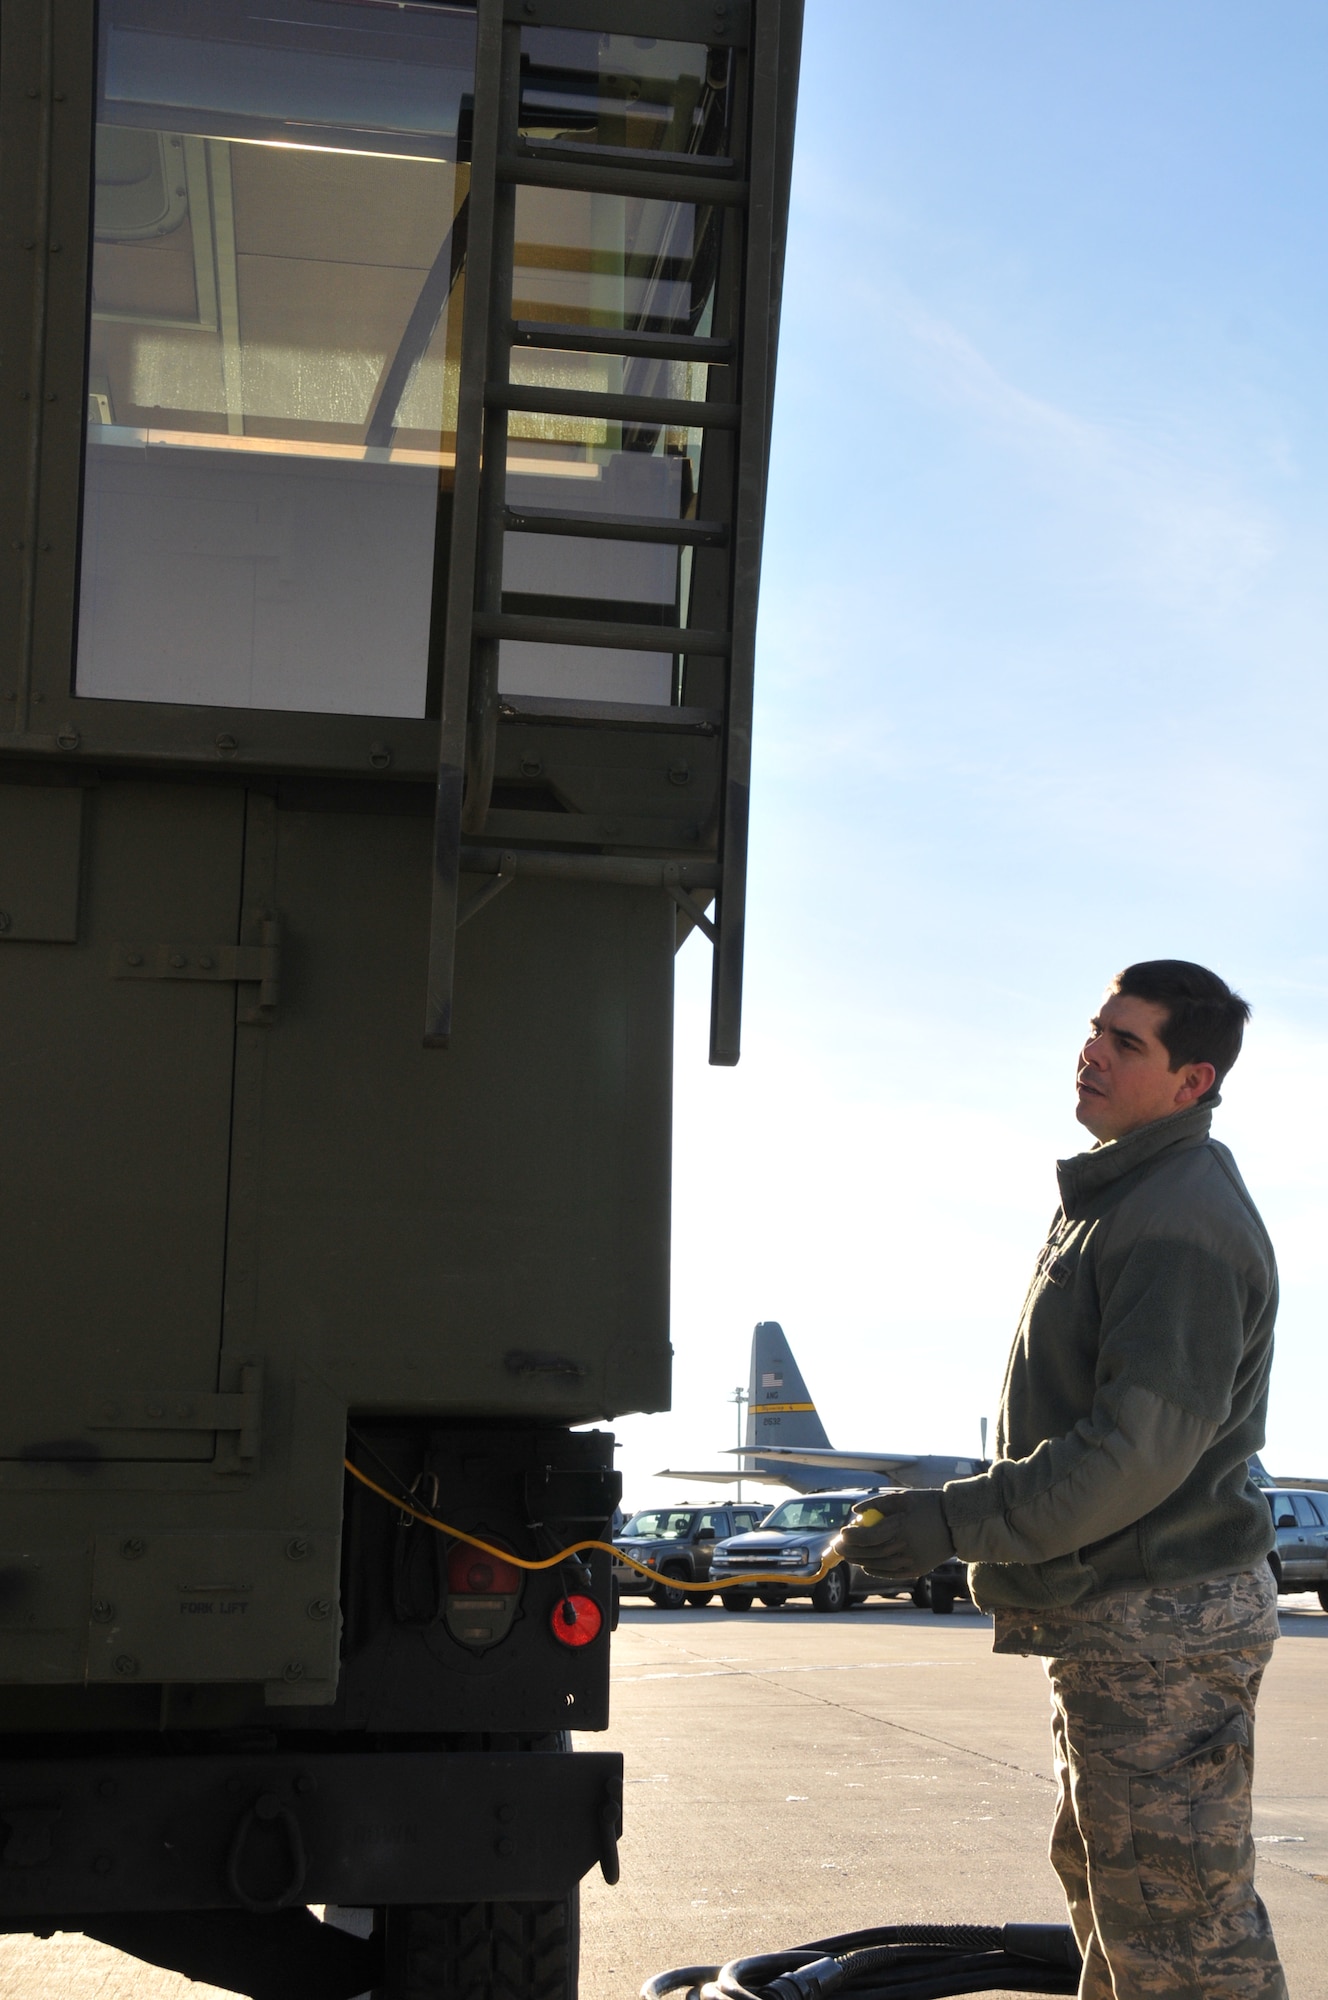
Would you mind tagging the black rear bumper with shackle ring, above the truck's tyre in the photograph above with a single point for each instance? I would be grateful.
(263, 1833)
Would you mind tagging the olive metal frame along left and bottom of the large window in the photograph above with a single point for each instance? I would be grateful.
(45, 315)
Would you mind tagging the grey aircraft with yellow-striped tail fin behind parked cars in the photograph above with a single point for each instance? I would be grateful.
(787, 1441)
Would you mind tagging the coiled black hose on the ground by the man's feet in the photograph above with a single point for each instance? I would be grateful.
(893, 1963)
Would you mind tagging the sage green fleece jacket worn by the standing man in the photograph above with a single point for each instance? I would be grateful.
(1137, 1385)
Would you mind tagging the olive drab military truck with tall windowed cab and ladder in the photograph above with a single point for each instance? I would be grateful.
(385, 407)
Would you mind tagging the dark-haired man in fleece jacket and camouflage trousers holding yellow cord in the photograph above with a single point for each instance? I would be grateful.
(1117, 1531)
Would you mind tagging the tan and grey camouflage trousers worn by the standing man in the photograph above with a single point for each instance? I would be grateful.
(1153, 1827)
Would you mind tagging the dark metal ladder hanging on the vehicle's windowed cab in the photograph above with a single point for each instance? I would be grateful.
(751, 191)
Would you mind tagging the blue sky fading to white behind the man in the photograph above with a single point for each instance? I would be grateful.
(1043, 685)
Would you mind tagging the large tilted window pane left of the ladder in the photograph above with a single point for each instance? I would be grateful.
(279, 255)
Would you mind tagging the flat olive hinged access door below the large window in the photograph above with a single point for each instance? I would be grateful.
(115, 1103)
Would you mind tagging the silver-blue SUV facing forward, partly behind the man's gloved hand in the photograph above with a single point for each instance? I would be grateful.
(793, 1541)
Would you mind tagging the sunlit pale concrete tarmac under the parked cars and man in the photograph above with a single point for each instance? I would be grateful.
(791, 1777)
